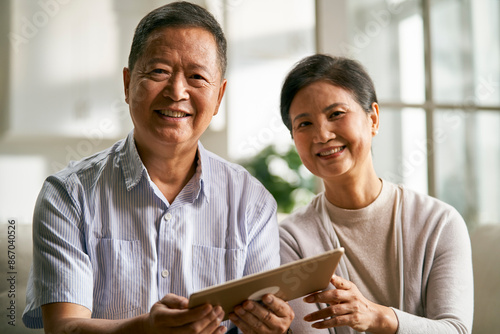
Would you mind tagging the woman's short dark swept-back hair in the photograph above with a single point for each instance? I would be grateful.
(343, 72)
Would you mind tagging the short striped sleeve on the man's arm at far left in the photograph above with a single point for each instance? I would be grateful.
(61, 270)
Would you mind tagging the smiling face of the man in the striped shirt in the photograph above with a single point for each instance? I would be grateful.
(174, 89)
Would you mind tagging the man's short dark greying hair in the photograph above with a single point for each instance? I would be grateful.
(178, 14)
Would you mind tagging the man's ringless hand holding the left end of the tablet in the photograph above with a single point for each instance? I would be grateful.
(171, 315)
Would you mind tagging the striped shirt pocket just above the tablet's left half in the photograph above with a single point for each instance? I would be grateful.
(212, 265)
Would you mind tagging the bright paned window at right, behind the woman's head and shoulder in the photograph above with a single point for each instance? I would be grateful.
(436, 67)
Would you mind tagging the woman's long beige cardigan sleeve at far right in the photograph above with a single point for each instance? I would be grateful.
(449, 299)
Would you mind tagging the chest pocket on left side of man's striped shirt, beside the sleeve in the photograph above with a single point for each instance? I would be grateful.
(118, 279)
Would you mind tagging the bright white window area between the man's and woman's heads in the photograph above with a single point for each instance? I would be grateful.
(265, 39)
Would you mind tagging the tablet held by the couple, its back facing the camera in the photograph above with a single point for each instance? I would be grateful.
(289, 281)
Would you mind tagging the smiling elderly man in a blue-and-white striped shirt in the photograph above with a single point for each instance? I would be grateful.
(123, 237)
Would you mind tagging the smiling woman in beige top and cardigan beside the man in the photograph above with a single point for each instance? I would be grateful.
(407, 265)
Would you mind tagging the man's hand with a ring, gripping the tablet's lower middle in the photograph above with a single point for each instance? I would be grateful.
(275, 316)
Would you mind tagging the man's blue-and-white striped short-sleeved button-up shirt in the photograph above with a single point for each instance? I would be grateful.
(106, 238)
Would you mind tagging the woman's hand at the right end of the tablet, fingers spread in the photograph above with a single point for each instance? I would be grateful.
(348, 307)
